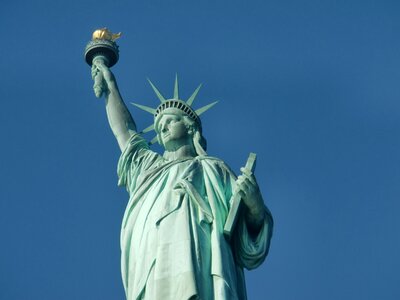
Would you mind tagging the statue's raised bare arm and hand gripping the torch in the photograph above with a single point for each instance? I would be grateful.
(121, 122)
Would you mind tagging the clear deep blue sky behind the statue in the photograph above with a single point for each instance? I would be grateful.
(313, 87)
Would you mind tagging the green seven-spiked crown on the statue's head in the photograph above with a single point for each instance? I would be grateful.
(184, 106)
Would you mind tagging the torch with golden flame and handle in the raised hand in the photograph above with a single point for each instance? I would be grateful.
(102, 48)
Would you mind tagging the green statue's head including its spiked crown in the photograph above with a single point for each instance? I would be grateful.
(176, 122)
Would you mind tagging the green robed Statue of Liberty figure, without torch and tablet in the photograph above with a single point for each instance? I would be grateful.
(172, 237)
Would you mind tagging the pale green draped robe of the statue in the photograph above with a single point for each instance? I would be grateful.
(172, 241)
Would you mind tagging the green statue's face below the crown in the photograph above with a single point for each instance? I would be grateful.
(172, 130)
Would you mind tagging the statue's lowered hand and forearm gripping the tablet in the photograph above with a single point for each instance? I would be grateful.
(248, 189)
